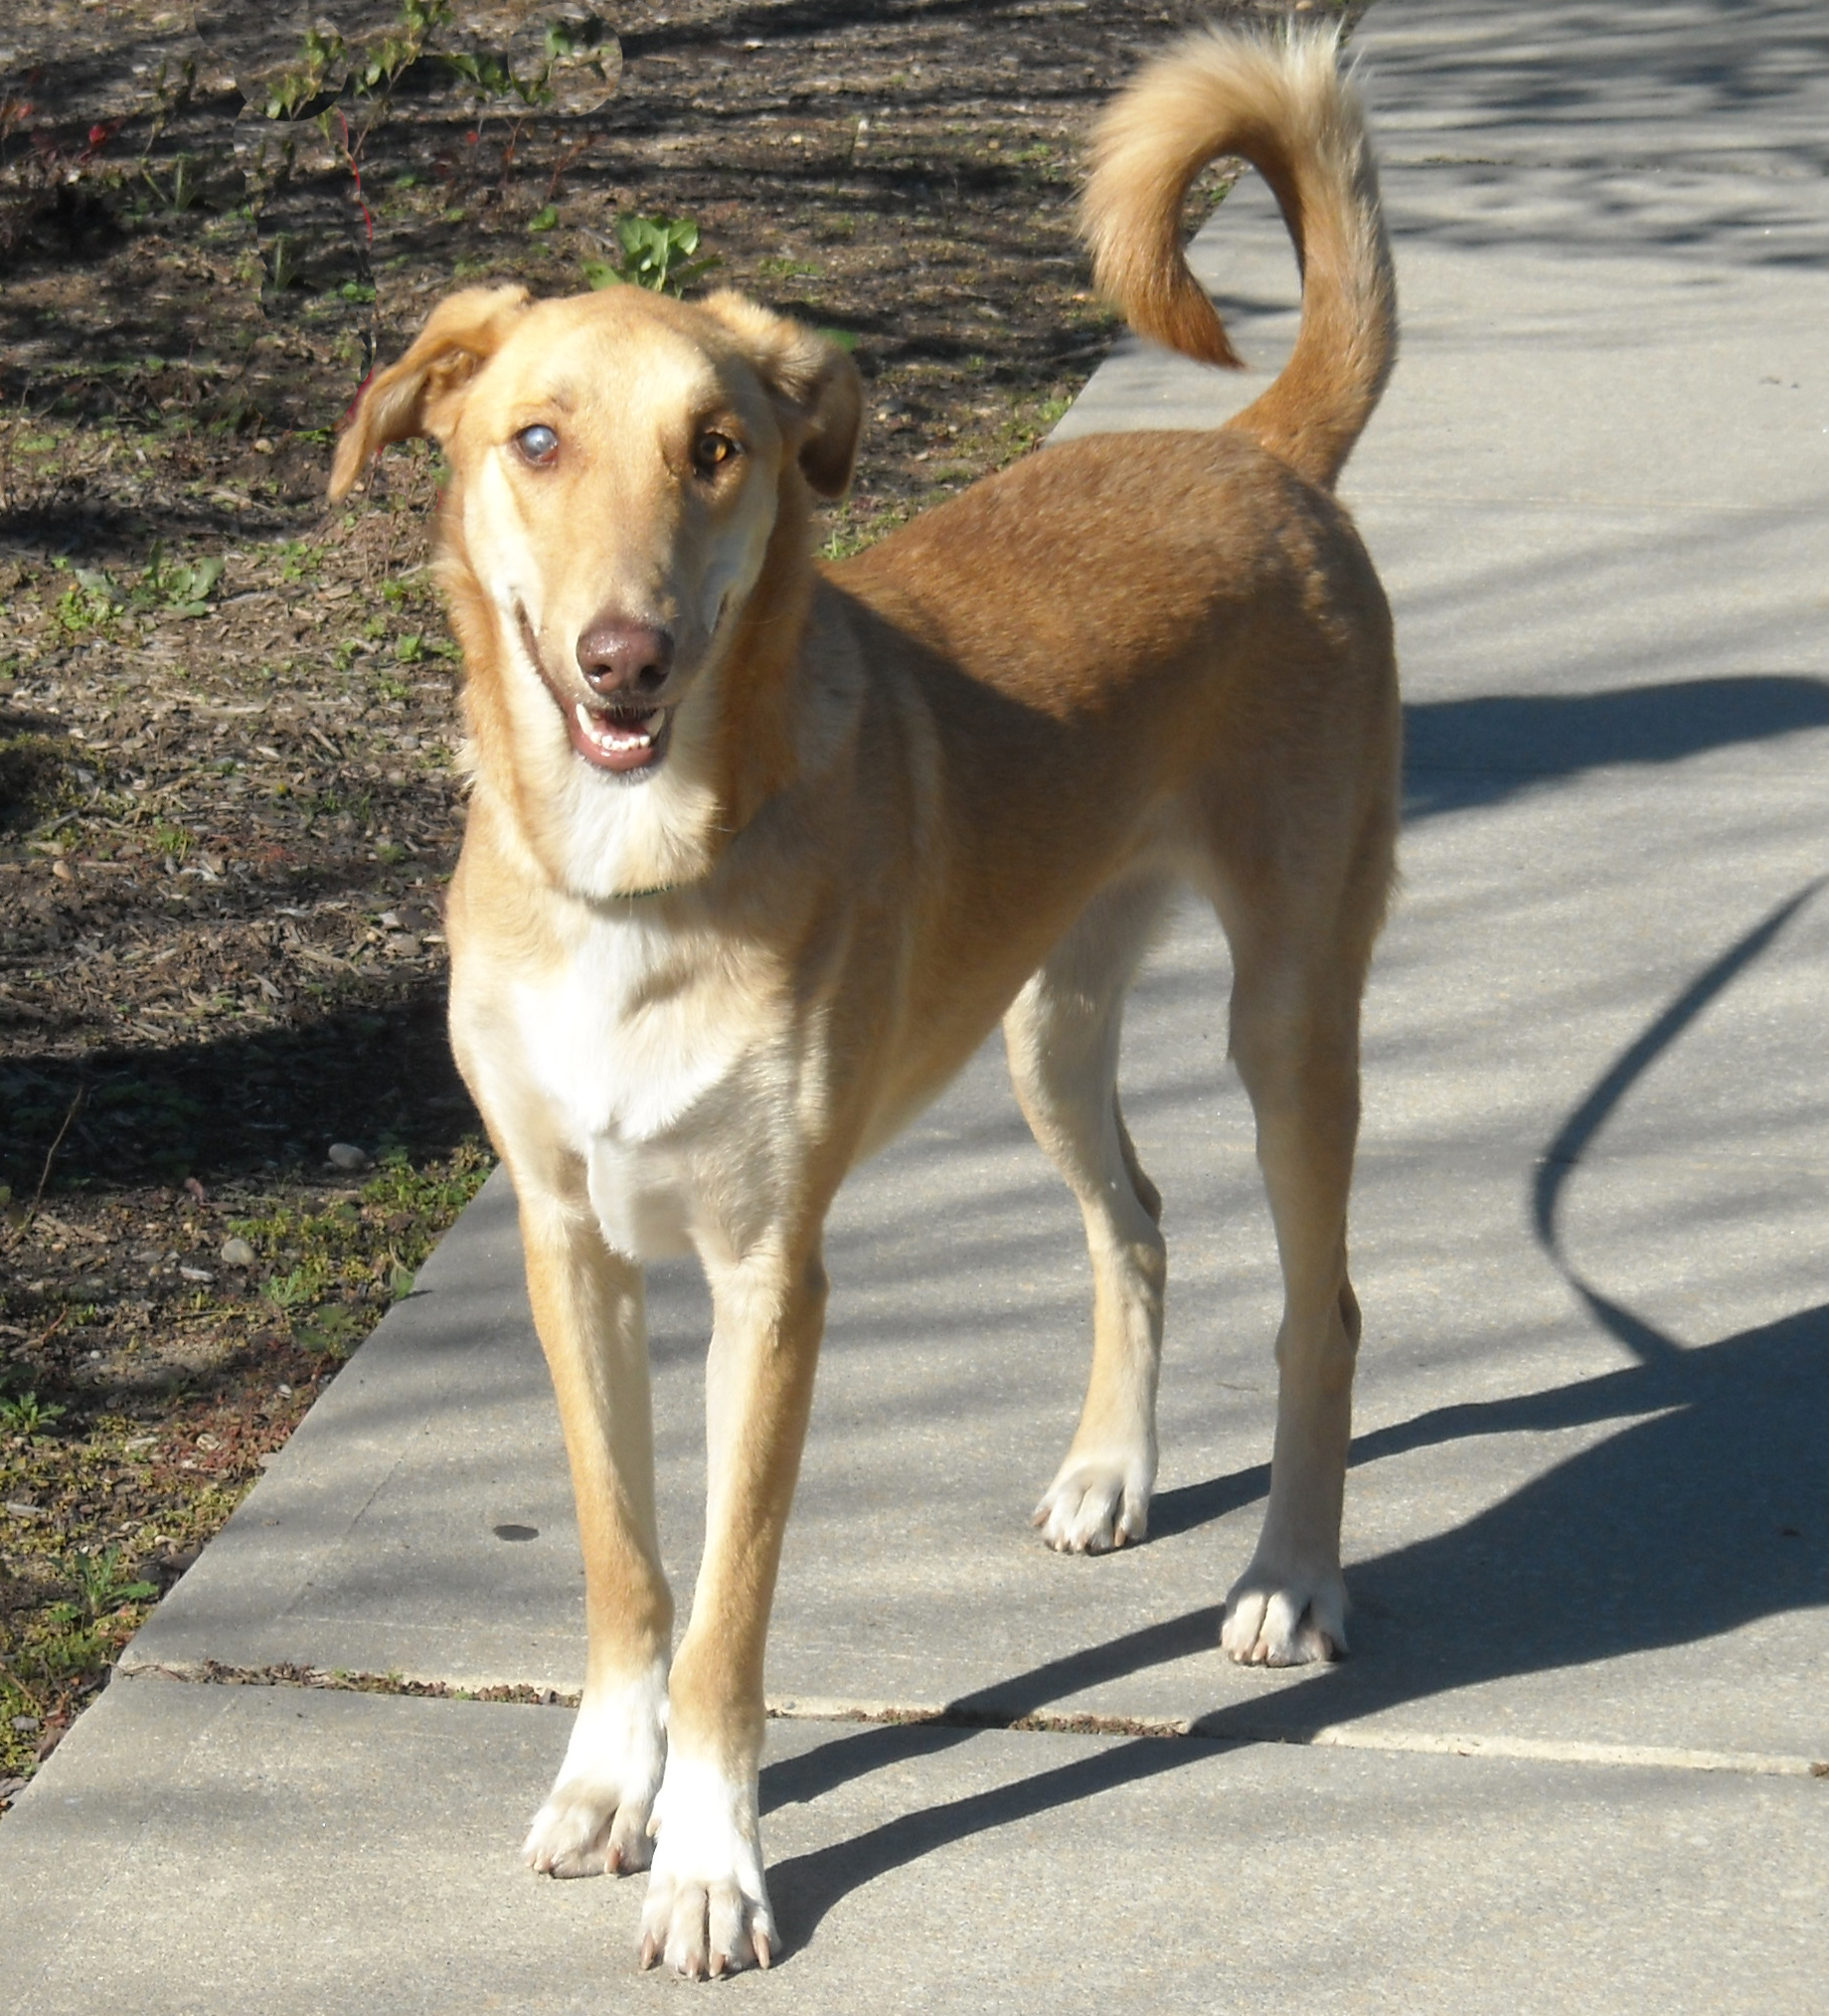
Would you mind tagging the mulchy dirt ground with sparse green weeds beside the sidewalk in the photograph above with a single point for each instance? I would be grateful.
(227, 735)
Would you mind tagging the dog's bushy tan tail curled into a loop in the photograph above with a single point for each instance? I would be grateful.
(1282, 104)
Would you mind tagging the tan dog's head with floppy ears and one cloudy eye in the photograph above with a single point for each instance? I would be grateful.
(622, 467)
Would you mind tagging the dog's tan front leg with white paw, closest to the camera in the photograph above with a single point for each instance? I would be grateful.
(707, 1902)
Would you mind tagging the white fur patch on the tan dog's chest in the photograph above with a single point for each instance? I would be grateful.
(668, 1078)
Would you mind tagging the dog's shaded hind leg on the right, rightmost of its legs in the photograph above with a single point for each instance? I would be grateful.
(1296, 1039)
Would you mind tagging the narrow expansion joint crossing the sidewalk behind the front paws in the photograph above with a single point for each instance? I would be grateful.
(1223, 1729)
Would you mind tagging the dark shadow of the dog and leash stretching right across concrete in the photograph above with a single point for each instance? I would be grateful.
(1705, 1513)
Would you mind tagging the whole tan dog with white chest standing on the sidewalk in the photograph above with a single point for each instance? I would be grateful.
(759, 852)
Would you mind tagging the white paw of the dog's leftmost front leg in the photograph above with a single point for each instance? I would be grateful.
(596, 1817)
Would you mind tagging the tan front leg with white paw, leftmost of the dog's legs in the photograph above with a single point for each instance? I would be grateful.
(588, 1309)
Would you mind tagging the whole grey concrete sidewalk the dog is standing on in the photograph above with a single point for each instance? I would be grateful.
(1588, 1525)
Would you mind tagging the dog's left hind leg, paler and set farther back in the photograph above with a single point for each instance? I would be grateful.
(1062, 1035)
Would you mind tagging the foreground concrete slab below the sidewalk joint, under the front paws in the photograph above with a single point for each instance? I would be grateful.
(328, 1854)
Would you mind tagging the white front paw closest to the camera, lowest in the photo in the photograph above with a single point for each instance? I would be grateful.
(707, 1910)
